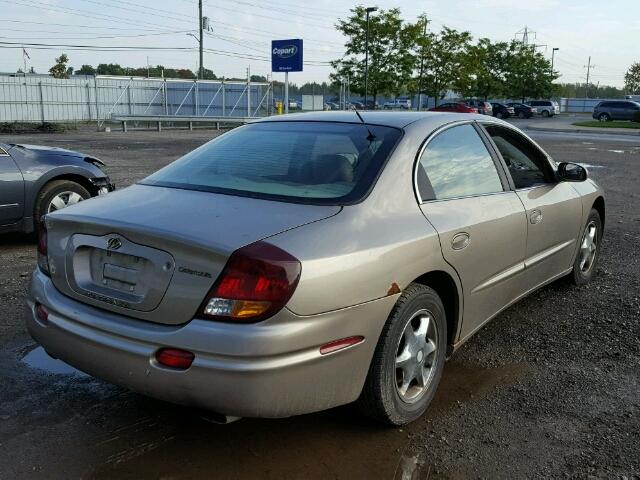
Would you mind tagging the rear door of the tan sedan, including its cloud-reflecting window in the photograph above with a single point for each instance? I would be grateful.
(481, 224)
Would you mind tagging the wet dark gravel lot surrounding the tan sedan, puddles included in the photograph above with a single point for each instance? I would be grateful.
(550, 388)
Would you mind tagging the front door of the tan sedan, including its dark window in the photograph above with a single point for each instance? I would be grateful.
(553, 209)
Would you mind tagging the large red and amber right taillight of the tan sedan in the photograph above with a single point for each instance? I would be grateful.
(257, 282)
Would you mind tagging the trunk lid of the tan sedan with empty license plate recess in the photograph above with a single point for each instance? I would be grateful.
(153, 252)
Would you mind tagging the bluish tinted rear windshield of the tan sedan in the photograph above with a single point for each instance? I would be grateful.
(309, 162)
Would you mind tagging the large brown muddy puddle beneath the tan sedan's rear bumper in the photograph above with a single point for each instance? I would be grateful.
(338, 443)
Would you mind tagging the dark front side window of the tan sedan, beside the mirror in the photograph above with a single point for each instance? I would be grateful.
(527, 164)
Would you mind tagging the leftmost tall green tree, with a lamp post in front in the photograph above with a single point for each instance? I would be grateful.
(391, 52)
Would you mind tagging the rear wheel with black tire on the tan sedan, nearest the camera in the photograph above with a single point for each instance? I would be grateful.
(409, 359)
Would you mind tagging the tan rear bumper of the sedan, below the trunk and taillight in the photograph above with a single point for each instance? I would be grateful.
(272, 369)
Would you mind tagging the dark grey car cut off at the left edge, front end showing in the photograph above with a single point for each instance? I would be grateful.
(36, 180)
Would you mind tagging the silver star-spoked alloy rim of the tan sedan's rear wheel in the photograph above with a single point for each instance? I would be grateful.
(416, 356)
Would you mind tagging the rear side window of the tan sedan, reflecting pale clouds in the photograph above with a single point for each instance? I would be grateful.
(456, 163)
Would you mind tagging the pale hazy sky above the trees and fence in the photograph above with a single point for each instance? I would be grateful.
(241, 31)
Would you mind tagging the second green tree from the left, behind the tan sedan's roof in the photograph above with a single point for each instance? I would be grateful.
(446, 61)
